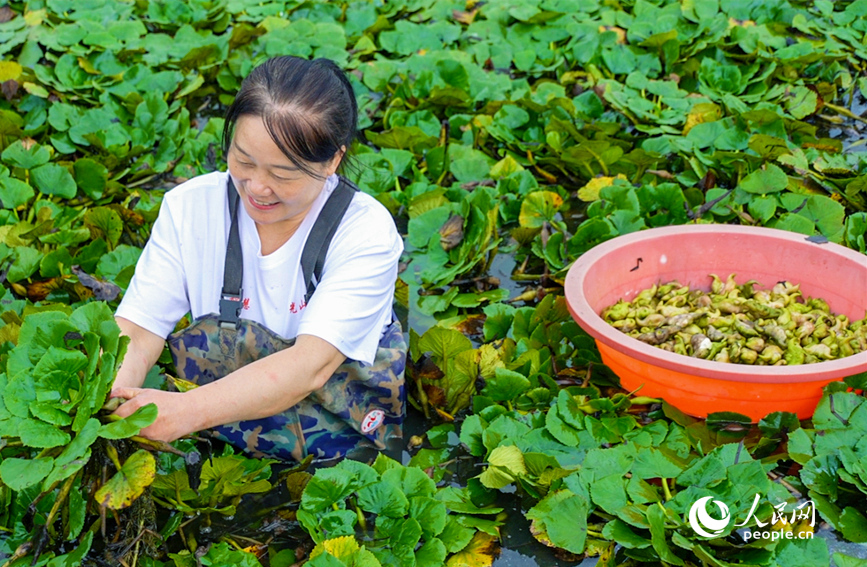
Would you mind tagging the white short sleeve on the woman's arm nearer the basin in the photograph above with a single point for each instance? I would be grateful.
(353, 303)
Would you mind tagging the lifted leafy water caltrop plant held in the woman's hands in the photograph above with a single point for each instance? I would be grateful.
(54, 384)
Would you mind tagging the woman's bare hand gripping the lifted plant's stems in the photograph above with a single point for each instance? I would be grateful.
(174, 416)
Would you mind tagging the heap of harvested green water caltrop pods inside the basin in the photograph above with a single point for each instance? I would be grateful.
(739, 323)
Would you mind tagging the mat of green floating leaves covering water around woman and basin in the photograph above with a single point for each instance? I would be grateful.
(507, 138)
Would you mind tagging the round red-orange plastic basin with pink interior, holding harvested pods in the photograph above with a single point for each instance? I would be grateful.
(622, 267)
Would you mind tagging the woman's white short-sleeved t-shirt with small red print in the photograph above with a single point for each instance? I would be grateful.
(181, 270)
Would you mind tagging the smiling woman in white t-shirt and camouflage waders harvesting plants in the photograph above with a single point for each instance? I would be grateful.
(282, 371)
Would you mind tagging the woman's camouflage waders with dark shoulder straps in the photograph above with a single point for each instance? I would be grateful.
(359, 406)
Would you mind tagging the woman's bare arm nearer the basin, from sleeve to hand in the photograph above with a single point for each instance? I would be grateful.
(263, 388)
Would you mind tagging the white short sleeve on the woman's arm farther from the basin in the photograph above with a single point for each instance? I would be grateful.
(157, 295)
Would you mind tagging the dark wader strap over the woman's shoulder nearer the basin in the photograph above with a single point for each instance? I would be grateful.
(316, 247)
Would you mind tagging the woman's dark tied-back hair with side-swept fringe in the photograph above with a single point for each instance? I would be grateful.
(308, 108)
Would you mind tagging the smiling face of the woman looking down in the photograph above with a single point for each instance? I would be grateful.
(275, 193)
